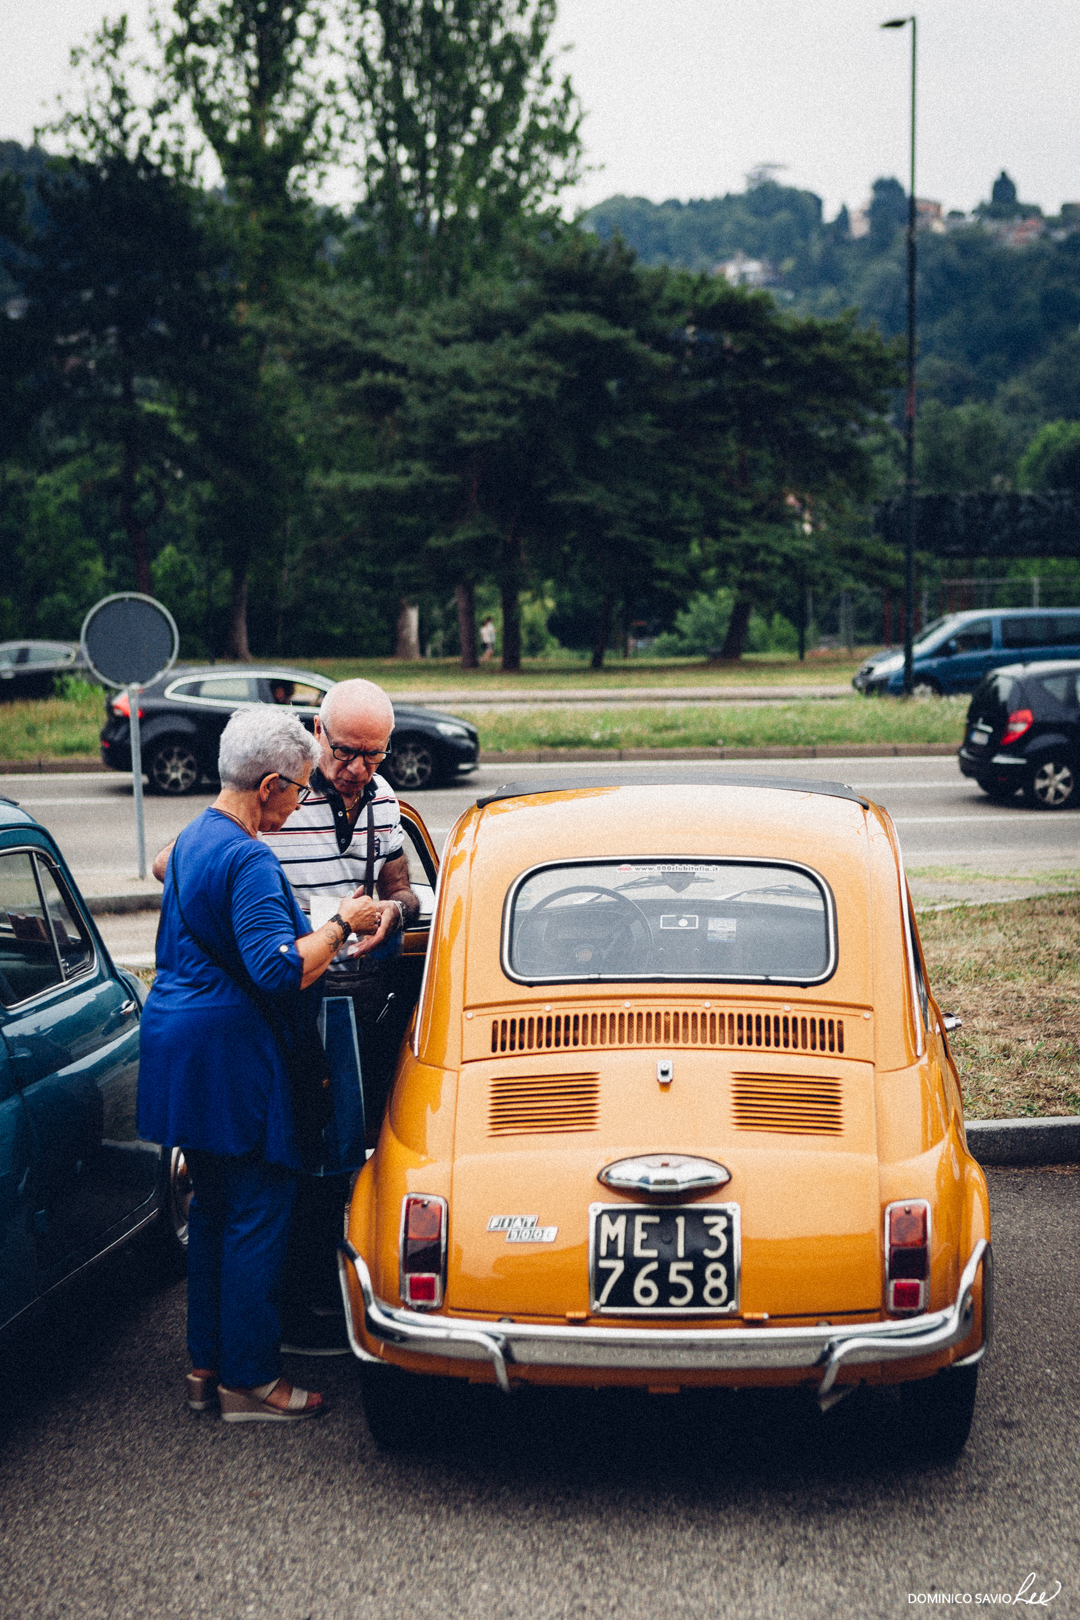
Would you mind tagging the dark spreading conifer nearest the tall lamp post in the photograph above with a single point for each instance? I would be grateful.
(772, 425)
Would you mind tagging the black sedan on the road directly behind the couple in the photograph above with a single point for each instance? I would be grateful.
(184, 715)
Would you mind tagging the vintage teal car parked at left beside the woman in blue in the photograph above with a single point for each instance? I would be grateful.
(75, 1180)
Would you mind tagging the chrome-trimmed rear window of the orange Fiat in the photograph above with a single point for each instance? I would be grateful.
(670, 919)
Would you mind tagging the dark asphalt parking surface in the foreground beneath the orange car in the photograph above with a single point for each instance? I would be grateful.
(117, 1504)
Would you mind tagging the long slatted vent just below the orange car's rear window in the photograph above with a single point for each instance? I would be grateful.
(668, 1028)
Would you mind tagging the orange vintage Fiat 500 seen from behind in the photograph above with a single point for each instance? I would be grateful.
(678, 1111)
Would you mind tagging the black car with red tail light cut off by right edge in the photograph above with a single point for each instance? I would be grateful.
(1024, 735)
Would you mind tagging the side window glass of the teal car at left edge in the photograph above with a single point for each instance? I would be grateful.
(43, 944)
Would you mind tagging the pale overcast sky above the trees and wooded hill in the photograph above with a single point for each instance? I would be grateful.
(684, 98)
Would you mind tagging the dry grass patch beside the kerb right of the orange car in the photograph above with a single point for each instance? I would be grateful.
(1013, 973)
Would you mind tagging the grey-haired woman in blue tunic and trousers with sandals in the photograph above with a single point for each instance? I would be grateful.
(227, 1047)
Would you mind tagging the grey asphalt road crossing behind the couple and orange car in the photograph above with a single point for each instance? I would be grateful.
(959, 846)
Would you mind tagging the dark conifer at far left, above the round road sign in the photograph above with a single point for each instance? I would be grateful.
(125, 307)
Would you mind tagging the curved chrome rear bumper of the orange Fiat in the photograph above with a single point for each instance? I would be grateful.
(661, 1350)
